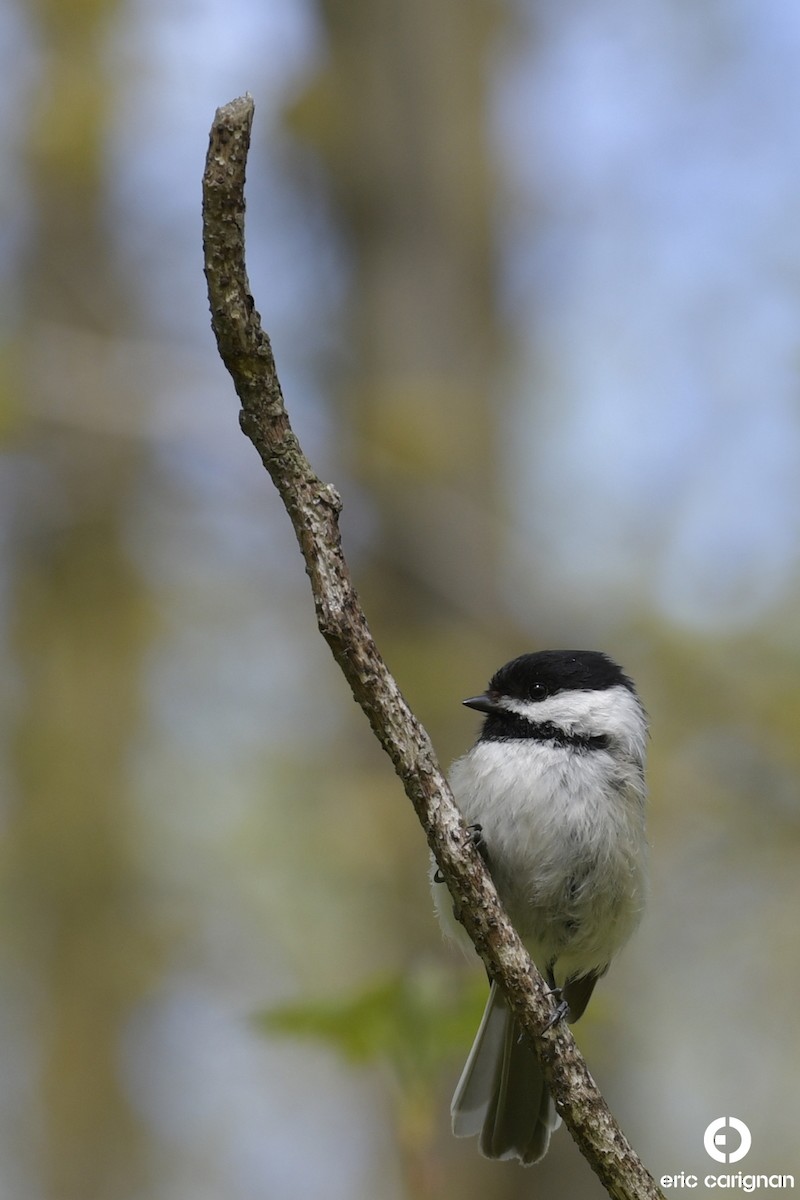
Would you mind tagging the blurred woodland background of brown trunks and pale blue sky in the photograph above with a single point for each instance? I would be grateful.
(532, 272)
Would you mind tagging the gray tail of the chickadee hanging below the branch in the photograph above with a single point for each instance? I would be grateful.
(502, 1094)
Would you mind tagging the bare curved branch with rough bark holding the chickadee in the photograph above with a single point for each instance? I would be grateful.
(314, 508)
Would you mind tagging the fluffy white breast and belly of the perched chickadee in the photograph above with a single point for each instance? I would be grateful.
(564, 830)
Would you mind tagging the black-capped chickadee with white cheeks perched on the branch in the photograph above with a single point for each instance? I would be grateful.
(555, 790)
